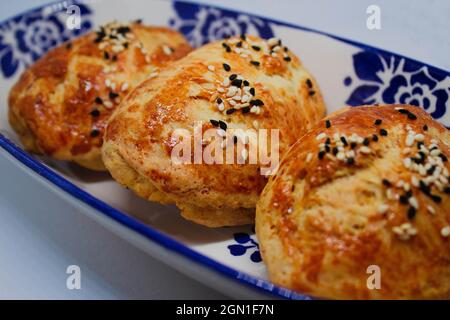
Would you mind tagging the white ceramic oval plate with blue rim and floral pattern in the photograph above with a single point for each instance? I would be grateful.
(228, 259)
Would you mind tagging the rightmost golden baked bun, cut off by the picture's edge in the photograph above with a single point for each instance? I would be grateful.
(365, 193)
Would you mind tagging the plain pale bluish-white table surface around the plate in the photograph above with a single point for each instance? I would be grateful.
(40, 234)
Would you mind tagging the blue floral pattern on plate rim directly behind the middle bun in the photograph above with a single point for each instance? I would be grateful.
(203, 24)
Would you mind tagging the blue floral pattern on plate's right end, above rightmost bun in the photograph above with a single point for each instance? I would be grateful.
(384, 78)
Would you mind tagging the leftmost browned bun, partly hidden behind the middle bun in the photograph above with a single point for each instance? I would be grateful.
(60, 105)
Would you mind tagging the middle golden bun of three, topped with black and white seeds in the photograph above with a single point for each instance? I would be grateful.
(242, 82)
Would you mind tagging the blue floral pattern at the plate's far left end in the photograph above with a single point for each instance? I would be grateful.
(25, 38)
